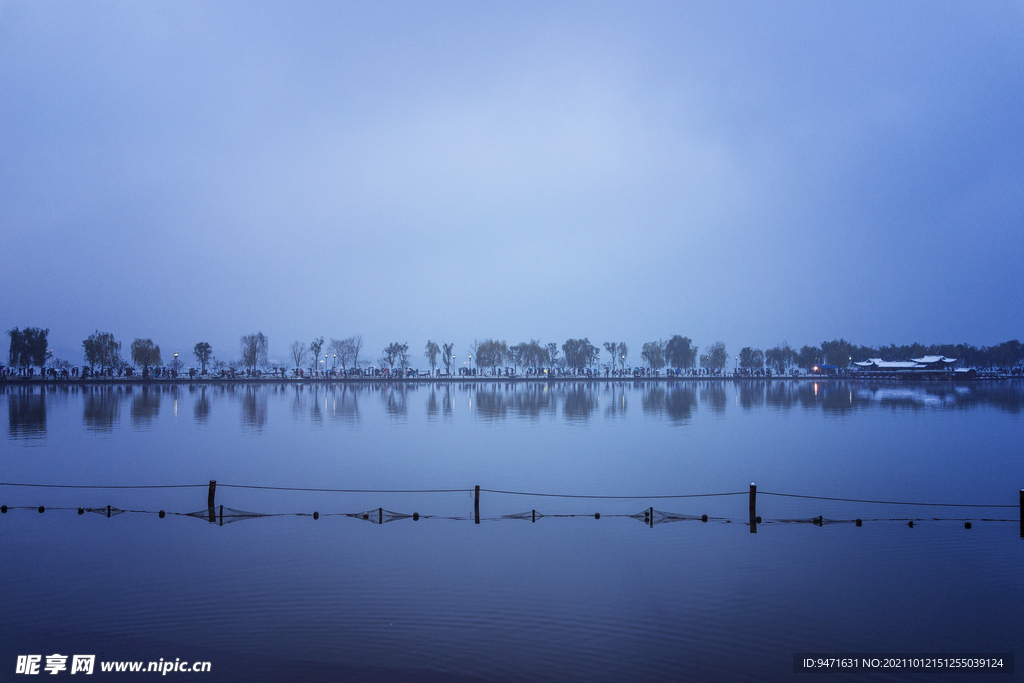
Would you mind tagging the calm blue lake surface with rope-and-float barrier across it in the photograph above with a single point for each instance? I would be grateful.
(535, 587)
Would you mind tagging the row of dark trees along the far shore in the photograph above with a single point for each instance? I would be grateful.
(346, 359)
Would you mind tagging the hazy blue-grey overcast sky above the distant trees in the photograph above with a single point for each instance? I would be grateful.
(746, 173)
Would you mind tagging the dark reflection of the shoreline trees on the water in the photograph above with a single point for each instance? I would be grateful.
(575, 402)
